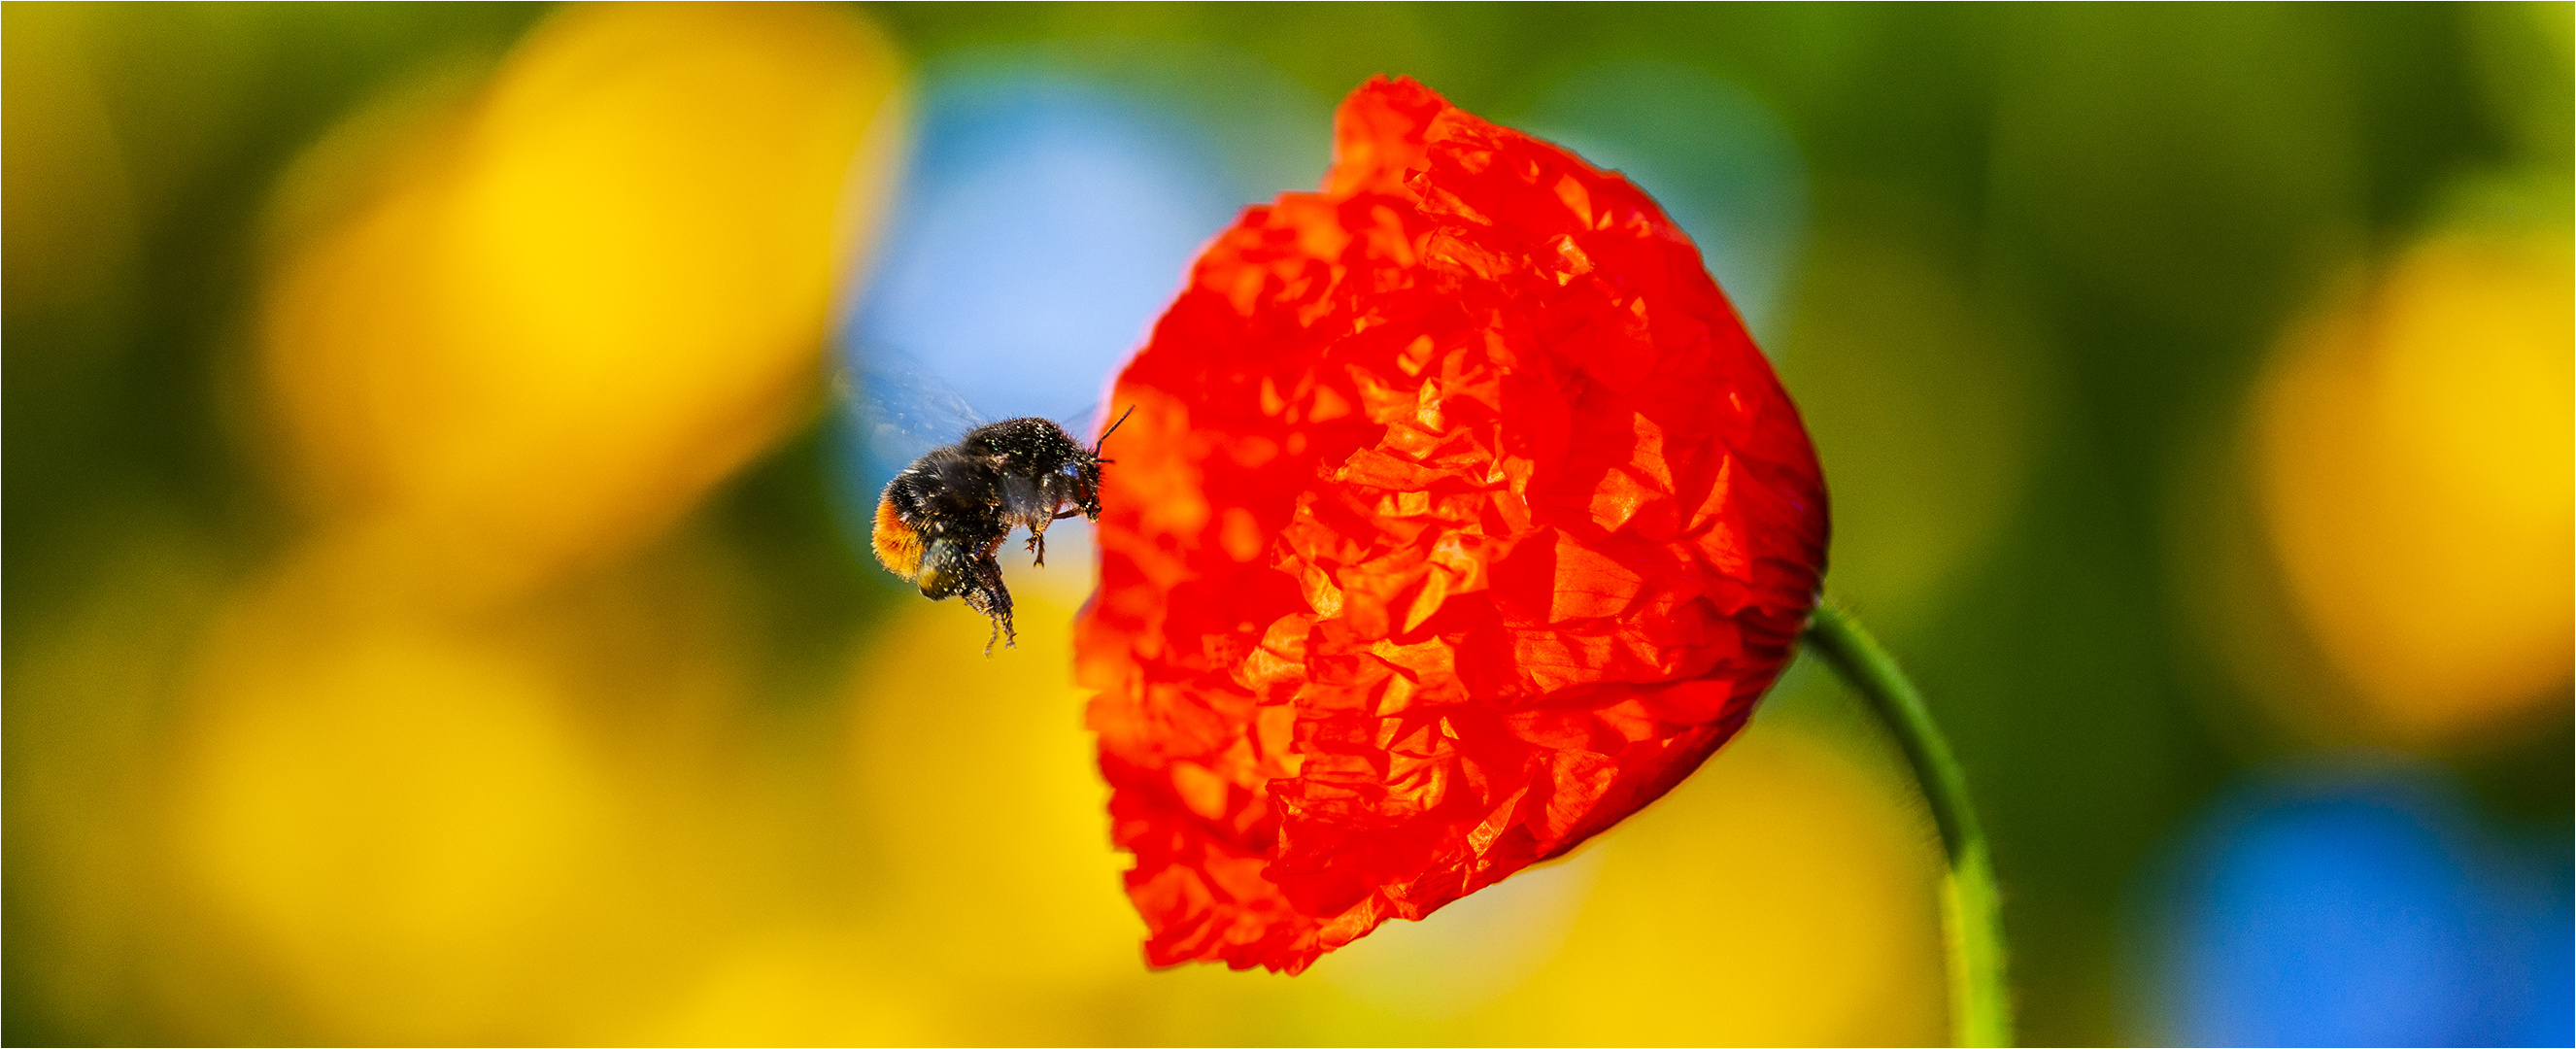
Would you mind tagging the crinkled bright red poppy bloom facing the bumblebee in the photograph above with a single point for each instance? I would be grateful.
(1457, 519)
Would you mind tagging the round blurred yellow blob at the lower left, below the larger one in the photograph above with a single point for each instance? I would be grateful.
(403, 821)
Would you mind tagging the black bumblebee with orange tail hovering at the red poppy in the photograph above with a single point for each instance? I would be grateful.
(947, 517)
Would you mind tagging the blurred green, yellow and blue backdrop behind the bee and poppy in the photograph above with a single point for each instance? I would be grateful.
(434, 599)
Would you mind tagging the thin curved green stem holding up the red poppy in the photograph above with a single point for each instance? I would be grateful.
(1972, 909)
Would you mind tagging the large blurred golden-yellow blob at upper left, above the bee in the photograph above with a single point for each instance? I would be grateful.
(527, 329)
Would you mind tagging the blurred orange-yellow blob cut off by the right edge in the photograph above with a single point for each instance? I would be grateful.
(2420, 488)
